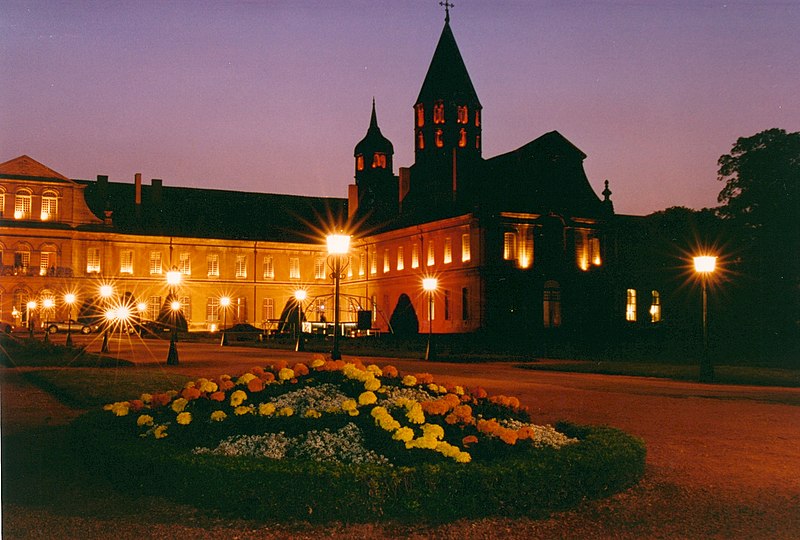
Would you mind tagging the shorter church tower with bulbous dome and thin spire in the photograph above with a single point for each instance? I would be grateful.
(375, 182)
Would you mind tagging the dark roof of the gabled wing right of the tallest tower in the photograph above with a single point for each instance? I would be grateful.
(546, 175)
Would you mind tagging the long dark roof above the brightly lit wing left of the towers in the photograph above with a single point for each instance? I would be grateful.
(209, 213)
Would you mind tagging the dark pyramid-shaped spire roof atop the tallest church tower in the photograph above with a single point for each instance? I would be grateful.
(447, 76)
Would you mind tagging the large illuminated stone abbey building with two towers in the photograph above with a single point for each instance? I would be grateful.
(519, 242)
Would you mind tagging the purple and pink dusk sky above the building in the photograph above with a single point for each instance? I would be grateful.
(273, 95)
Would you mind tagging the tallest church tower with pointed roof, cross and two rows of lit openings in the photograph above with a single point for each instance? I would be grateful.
(447, 124)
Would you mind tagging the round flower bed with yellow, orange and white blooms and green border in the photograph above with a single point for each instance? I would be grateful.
(352, 442)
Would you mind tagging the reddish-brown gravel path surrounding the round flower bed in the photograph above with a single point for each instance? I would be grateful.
(723, 462)
